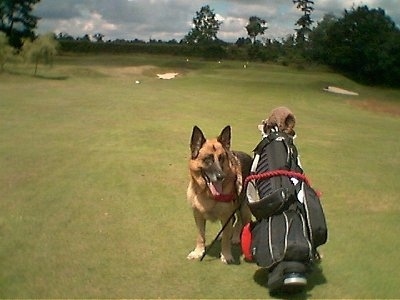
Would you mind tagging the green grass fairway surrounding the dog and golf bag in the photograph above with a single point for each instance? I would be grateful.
(94, 172)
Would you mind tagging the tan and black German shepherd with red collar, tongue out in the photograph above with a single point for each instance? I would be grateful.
(215, 188)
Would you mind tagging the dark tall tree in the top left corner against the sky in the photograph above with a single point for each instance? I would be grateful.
(17, 21)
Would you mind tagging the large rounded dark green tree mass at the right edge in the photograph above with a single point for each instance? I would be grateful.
(364, 44)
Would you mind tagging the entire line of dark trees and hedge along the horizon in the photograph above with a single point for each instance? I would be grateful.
(362, 43)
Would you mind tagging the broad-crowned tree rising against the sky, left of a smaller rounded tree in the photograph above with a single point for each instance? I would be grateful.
(205, 27)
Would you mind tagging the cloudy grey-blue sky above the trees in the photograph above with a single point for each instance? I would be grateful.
(172, 19)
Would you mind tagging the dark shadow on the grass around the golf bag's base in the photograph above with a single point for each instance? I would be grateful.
(316, 277)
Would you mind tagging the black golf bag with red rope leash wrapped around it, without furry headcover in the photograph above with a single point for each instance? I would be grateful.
(290, 221)
